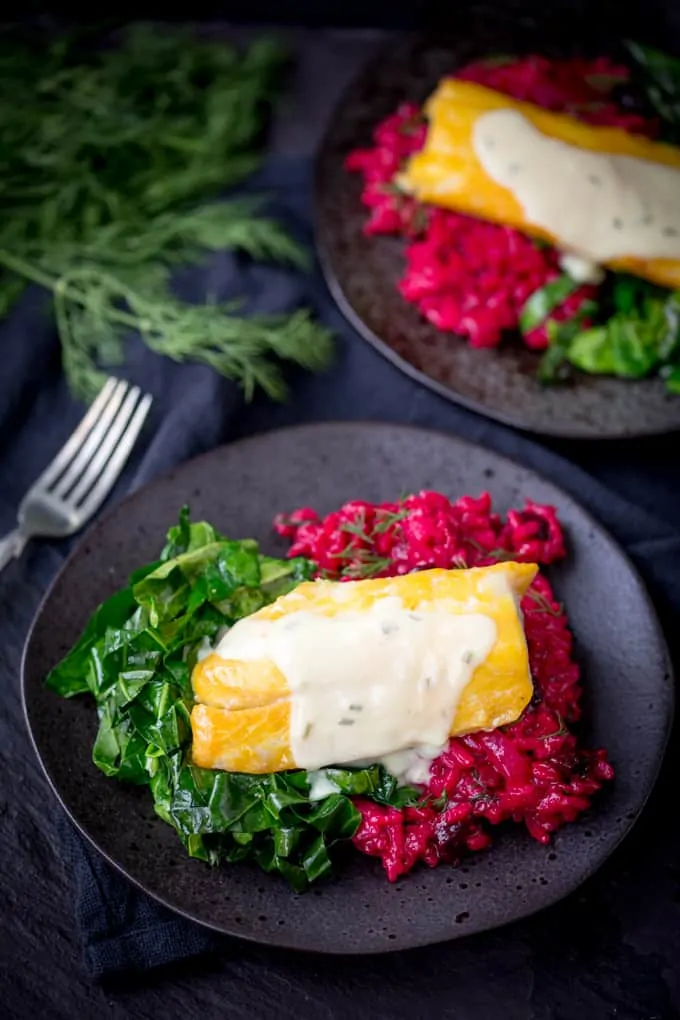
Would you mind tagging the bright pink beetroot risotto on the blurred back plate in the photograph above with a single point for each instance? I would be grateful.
(466, 276)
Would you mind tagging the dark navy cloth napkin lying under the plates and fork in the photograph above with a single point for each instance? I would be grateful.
(122, 929)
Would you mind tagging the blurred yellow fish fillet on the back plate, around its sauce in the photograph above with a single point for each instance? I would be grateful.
(448, 173)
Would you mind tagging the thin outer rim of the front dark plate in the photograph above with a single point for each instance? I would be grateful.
(474, 450)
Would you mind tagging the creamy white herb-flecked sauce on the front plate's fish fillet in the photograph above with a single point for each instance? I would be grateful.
(369, 685)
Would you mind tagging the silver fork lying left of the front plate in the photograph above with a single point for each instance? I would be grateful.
(74, 487)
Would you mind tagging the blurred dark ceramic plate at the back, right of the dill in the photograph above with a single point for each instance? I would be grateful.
(362, 273)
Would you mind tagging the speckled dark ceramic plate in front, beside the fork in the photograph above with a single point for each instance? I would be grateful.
(240, 488)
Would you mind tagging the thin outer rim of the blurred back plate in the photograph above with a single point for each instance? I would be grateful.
(330, 273)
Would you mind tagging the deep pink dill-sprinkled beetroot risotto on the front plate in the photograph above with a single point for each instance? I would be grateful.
(532, 773)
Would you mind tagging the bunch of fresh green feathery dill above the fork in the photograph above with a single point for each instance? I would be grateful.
(112, 164)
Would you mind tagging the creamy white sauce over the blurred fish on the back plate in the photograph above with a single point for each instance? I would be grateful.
(600, 207)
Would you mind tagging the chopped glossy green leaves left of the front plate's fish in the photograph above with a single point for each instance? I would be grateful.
(136, 657)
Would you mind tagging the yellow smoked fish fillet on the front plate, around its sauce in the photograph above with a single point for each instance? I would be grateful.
(242, 722)
